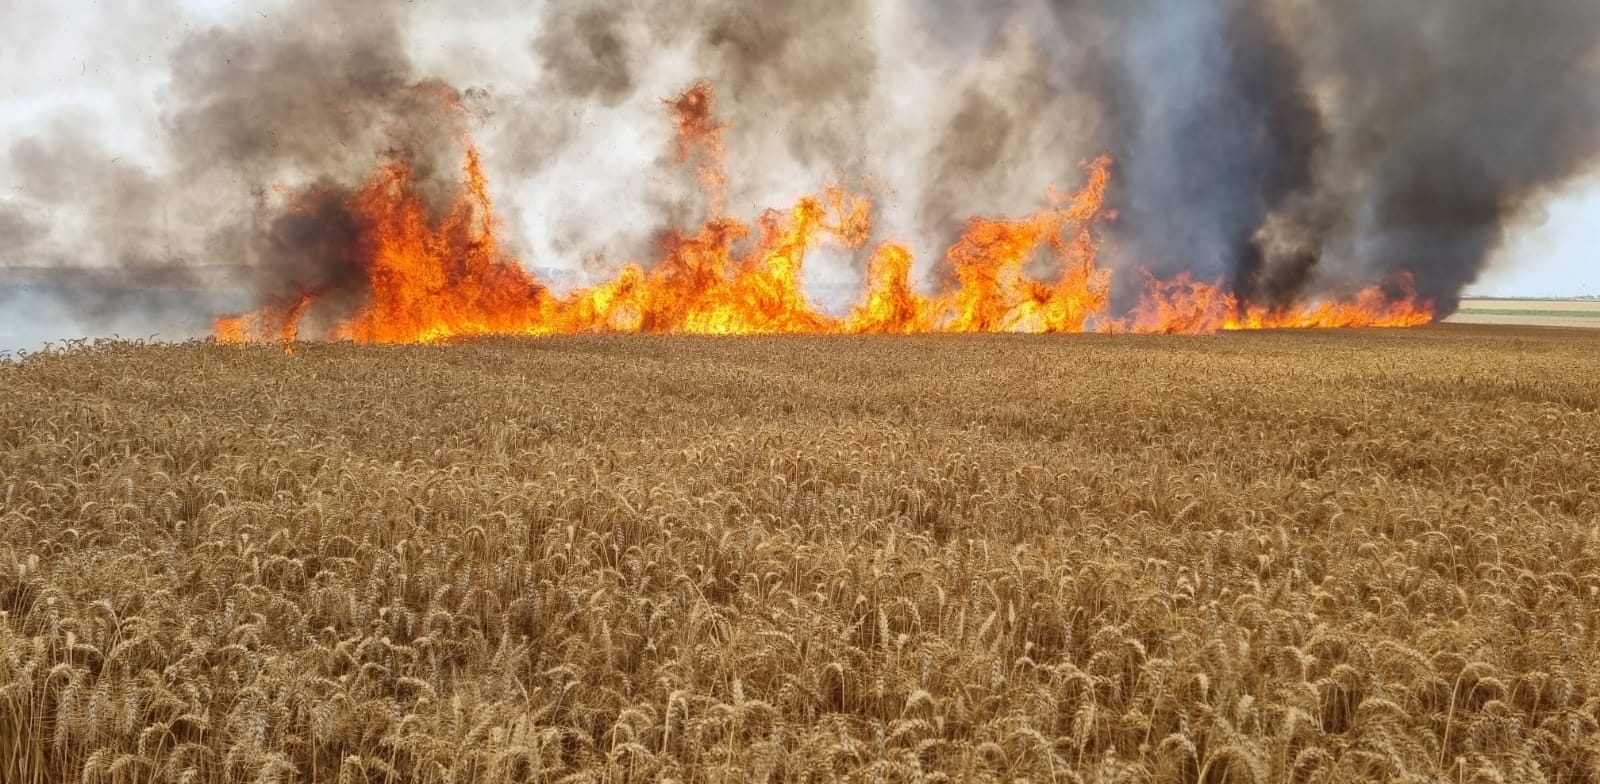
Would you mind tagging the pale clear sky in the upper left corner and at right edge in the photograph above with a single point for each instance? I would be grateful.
(102, 65)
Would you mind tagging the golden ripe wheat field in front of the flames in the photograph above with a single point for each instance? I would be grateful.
(1311, 558)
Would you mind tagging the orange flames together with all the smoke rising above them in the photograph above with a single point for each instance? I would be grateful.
(862, 167)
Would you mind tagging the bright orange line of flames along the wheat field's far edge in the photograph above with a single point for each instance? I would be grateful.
(434, 278)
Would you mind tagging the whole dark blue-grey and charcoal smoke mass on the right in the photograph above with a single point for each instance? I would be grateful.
(1300, 146)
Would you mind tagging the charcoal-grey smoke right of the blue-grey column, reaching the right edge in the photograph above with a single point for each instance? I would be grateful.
(1447, 124)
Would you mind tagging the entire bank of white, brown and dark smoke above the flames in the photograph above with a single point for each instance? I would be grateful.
(1286, 148)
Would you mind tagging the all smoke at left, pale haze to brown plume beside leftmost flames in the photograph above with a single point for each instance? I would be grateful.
(271, 105)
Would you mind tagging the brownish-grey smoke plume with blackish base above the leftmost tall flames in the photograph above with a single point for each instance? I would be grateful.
(316, 108)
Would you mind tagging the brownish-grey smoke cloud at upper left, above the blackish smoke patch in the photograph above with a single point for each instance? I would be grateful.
(292, 102)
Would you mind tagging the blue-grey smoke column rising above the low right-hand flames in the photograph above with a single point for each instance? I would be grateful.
(1218, 135)
